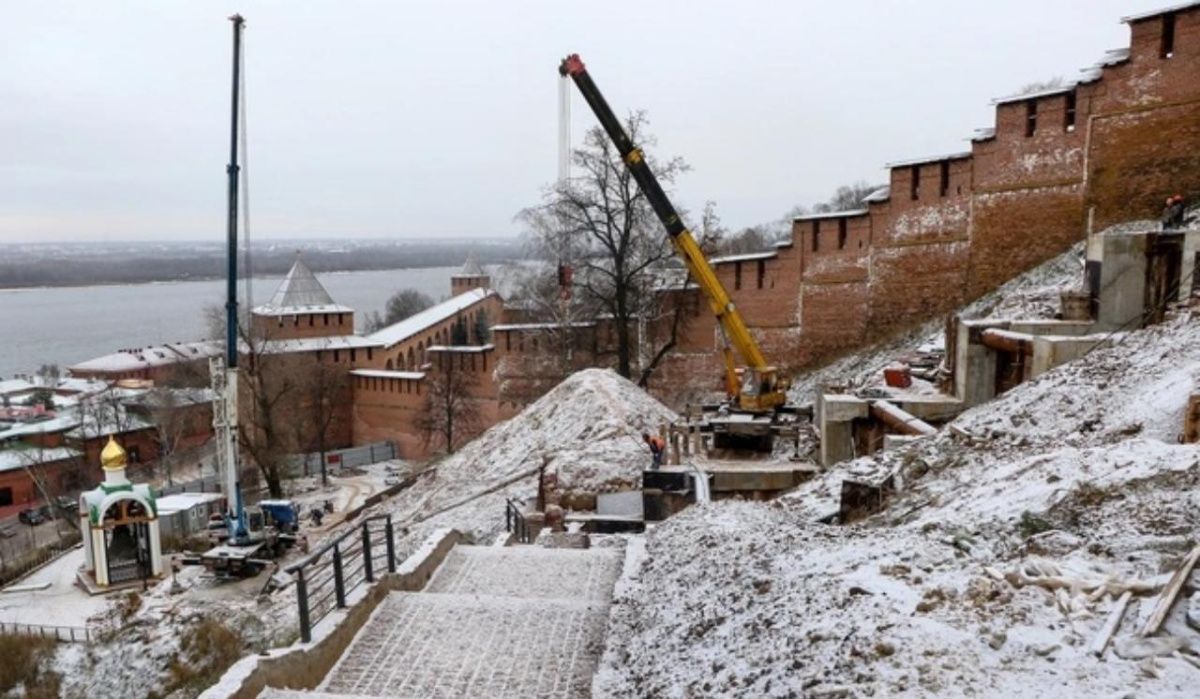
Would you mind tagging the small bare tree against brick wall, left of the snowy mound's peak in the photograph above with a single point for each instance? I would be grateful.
(452, 411)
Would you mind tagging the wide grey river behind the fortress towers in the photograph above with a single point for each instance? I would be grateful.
(65, 326)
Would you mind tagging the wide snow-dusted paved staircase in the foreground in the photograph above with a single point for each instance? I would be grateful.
(518, 622)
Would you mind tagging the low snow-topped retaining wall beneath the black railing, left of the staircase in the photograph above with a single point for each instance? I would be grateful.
(304, 666)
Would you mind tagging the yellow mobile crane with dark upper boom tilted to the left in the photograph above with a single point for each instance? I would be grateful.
(757, 408)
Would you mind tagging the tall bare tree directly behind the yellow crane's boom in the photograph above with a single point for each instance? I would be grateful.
(603, 225)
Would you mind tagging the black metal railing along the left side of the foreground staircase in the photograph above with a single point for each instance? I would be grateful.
(329, 575)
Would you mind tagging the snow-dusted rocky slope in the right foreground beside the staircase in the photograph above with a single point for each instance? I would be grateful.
(1075, 480)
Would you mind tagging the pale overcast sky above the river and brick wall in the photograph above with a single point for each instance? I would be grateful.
(431, 120)
